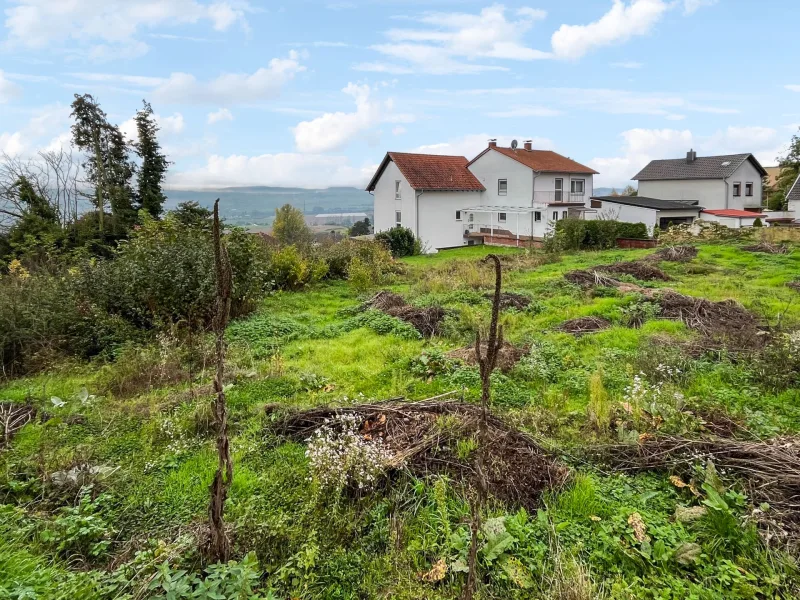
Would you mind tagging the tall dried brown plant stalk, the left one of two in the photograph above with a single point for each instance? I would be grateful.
(219, 549)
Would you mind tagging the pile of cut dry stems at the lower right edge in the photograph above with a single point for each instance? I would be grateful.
(770, 469)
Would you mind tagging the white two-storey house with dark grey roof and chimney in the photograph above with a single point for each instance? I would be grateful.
(724, 182)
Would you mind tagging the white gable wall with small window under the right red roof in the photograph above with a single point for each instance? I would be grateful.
(493, 166)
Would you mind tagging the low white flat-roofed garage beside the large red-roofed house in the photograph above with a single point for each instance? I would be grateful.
(653, 212)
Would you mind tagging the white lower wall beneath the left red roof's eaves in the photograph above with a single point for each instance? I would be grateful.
(438, 227)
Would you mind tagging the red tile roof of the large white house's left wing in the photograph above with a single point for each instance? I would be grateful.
(429, 172)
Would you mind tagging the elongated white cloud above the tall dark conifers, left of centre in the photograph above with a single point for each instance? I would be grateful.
(231, 88)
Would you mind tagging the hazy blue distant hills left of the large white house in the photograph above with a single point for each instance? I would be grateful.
(257, 204)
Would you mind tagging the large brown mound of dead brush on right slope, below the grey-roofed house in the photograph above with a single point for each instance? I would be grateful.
(727, 321)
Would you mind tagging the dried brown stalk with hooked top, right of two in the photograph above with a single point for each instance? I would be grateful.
(486, 363)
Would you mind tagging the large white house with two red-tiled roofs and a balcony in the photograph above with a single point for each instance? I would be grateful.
(504, 195)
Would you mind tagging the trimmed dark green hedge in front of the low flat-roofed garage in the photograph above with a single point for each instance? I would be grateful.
(598, 234)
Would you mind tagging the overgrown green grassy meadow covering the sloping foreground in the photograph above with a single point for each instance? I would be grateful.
(105, 491)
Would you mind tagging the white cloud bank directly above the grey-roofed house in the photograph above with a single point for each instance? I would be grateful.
(640, 146)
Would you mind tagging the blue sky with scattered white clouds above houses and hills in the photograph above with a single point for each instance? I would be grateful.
(313, 93)
